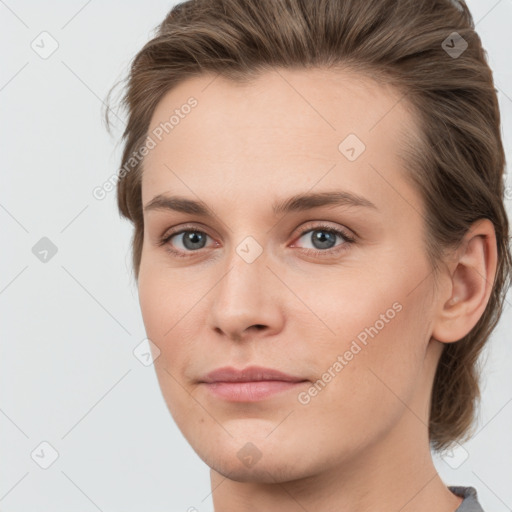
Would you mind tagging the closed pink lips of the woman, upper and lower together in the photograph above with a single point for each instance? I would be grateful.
(250, 384)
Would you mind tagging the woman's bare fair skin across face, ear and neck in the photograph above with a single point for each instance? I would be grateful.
(361, 443)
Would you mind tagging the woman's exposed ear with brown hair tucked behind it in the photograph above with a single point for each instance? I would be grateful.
(471, 278)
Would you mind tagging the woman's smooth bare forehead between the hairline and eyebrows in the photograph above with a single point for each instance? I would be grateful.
(284, 129)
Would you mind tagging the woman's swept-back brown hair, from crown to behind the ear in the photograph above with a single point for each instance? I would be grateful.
(457, 166)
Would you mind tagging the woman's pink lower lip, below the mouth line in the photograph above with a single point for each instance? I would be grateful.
(250, 391)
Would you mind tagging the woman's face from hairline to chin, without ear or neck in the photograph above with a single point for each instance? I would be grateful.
(334, 290)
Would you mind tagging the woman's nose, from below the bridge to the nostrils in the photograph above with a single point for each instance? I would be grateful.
(247, 301)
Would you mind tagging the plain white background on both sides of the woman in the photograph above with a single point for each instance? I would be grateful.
(69, 326)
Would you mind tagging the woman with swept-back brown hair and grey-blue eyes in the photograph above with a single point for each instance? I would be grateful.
(320, 243)
